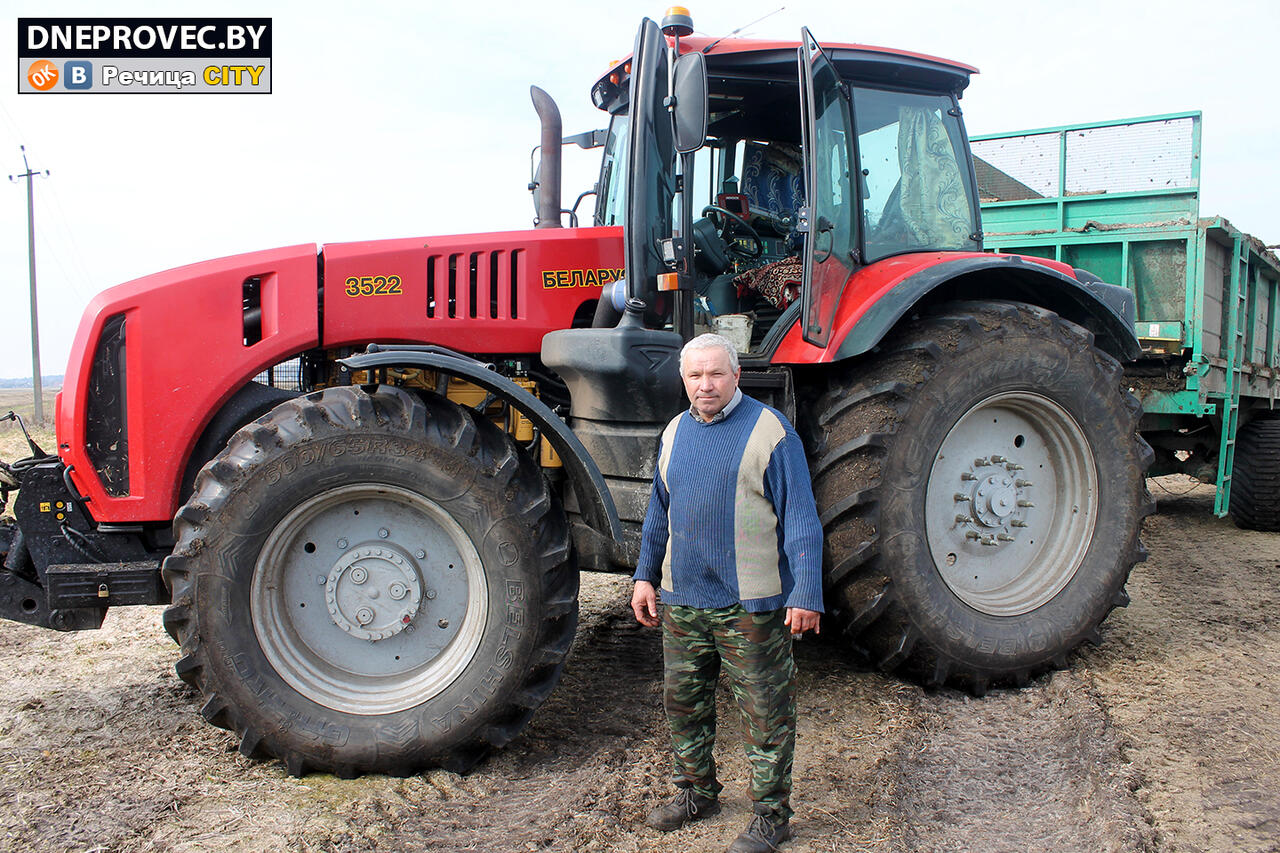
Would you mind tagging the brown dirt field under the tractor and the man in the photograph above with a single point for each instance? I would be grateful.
(1164, 738)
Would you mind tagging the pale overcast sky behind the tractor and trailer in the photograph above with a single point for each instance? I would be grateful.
(397, 120)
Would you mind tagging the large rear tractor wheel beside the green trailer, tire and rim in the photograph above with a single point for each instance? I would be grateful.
(981, 486)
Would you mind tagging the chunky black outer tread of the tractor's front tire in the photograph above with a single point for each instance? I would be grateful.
(382, 409)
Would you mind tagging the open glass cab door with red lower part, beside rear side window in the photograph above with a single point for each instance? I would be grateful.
(831, 206)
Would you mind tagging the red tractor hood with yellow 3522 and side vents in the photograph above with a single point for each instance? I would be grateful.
(156, 358)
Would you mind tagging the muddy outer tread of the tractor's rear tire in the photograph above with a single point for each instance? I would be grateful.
(861, 414)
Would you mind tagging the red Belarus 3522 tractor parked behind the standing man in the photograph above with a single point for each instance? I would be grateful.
(365, 477)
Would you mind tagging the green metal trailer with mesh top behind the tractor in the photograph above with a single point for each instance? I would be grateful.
(1122, 200)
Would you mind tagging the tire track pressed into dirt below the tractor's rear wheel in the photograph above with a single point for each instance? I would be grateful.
(1043, 769)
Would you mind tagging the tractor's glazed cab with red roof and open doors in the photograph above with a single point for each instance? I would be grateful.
(806, 165)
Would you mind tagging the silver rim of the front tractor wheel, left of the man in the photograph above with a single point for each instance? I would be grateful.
(369, 599)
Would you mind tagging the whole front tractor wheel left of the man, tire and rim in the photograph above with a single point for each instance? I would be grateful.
(372, 582)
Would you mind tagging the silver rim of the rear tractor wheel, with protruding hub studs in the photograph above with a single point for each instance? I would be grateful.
(1012, 504)
